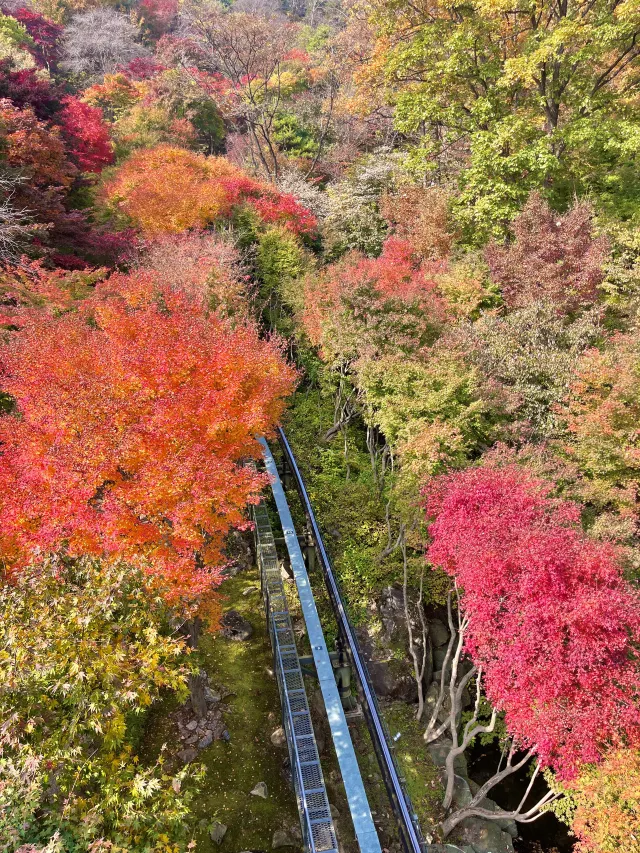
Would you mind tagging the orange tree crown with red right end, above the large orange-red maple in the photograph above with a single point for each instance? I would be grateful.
(169, 190)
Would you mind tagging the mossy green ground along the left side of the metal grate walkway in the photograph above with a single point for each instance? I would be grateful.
(234, 768)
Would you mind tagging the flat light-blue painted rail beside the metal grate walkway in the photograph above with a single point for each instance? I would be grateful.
(365, 830)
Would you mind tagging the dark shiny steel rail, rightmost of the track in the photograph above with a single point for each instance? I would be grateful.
(410, 833)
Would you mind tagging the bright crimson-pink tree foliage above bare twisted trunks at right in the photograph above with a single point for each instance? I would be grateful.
(552, 623)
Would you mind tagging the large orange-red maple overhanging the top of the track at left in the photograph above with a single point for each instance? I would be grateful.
(134, 413)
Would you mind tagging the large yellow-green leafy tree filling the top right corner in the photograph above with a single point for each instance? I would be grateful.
(536, 95)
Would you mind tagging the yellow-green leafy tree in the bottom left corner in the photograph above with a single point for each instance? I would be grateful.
(83, 652)
